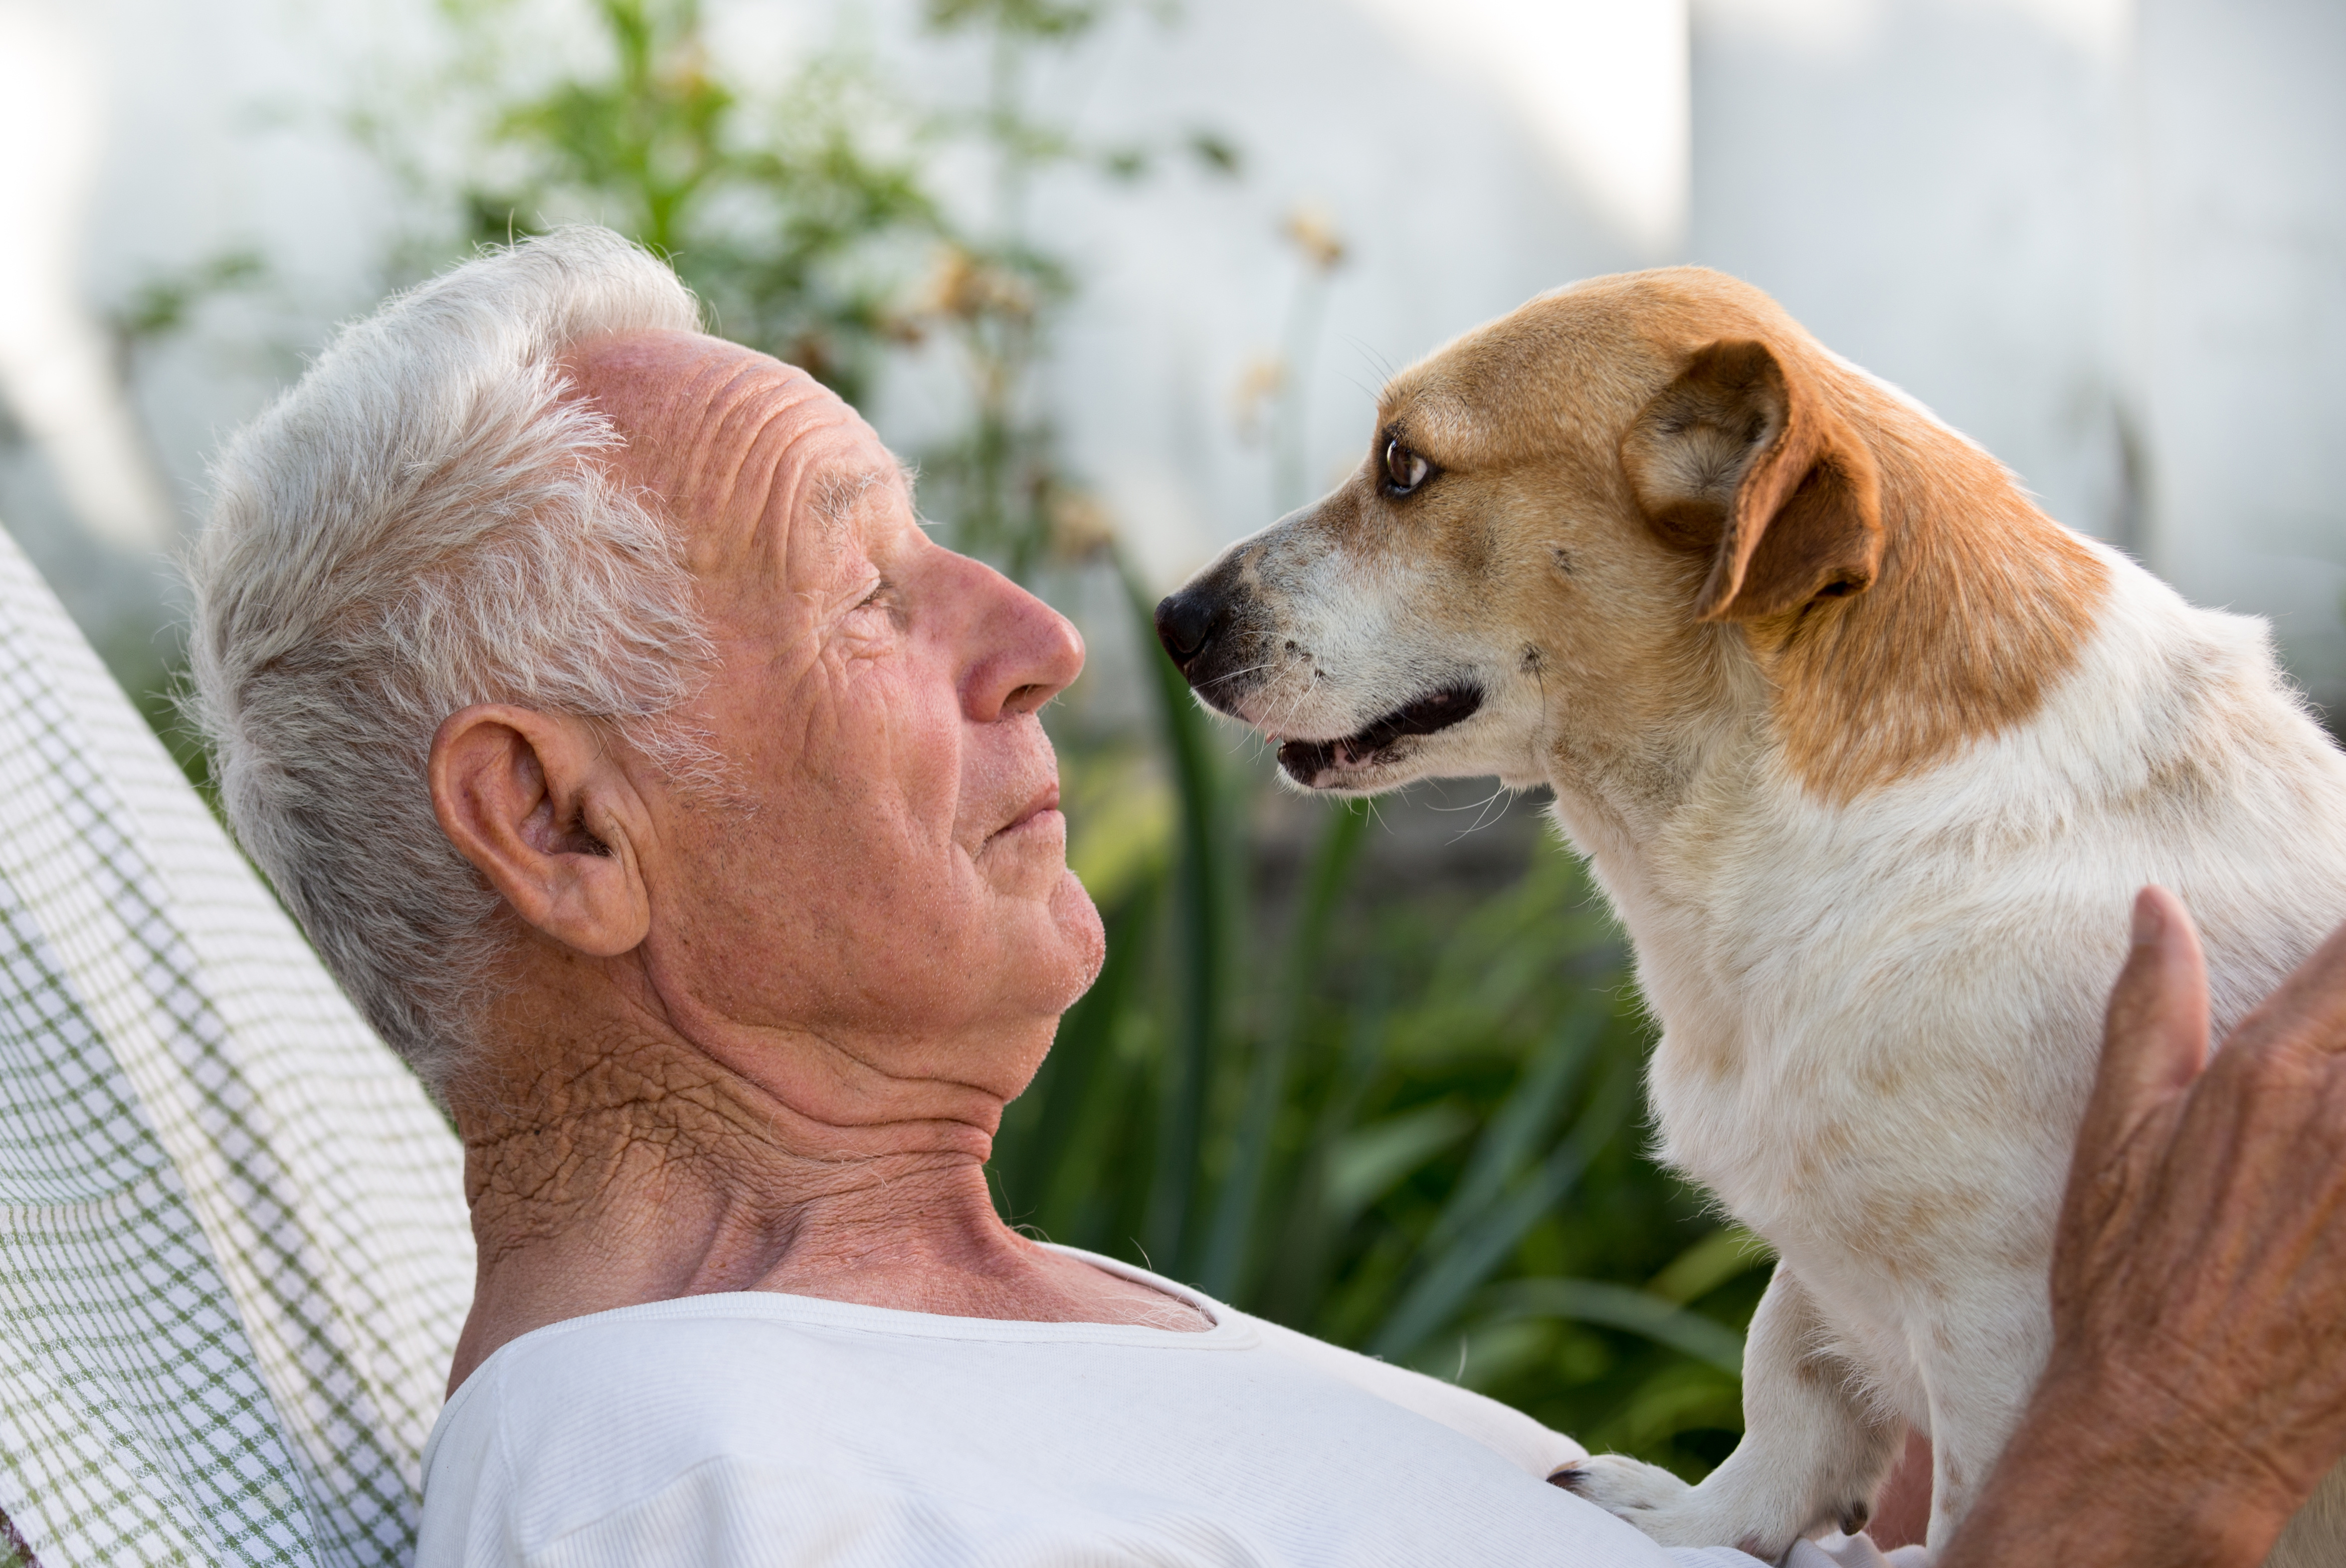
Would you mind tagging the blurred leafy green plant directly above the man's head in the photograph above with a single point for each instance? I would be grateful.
(799, 215)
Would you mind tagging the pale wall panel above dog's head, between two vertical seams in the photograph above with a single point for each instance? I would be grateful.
(1937, 191)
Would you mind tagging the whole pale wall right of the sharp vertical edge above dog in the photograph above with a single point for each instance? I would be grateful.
(2108, 238)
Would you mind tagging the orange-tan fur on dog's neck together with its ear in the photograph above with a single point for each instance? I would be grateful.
(1894, 583)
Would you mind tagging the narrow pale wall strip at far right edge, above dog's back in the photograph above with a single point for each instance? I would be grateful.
(2242, 311)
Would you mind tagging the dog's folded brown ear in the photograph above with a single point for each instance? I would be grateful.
(1740, 459)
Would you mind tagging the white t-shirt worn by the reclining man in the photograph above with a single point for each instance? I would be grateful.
(759, 1431)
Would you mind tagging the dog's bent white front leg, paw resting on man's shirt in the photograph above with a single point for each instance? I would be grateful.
(1812, 1457)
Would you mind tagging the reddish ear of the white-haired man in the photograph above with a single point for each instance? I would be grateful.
(550, 818)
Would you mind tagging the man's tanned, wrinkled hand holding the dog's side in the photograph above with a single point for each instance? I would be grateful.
(2197, 1386)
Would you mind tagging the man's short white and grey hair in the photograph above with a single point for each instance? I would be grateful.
(426, 522)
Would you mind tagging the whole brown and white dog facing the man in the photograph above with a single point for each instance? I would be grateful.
(1869, 755)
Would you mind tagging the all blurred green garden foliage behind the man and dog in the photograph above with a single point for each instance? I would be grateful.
(1385, 1097)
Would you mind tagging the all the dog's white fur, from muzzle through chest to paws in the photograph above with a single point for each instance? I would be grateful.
(1880, 1020)
